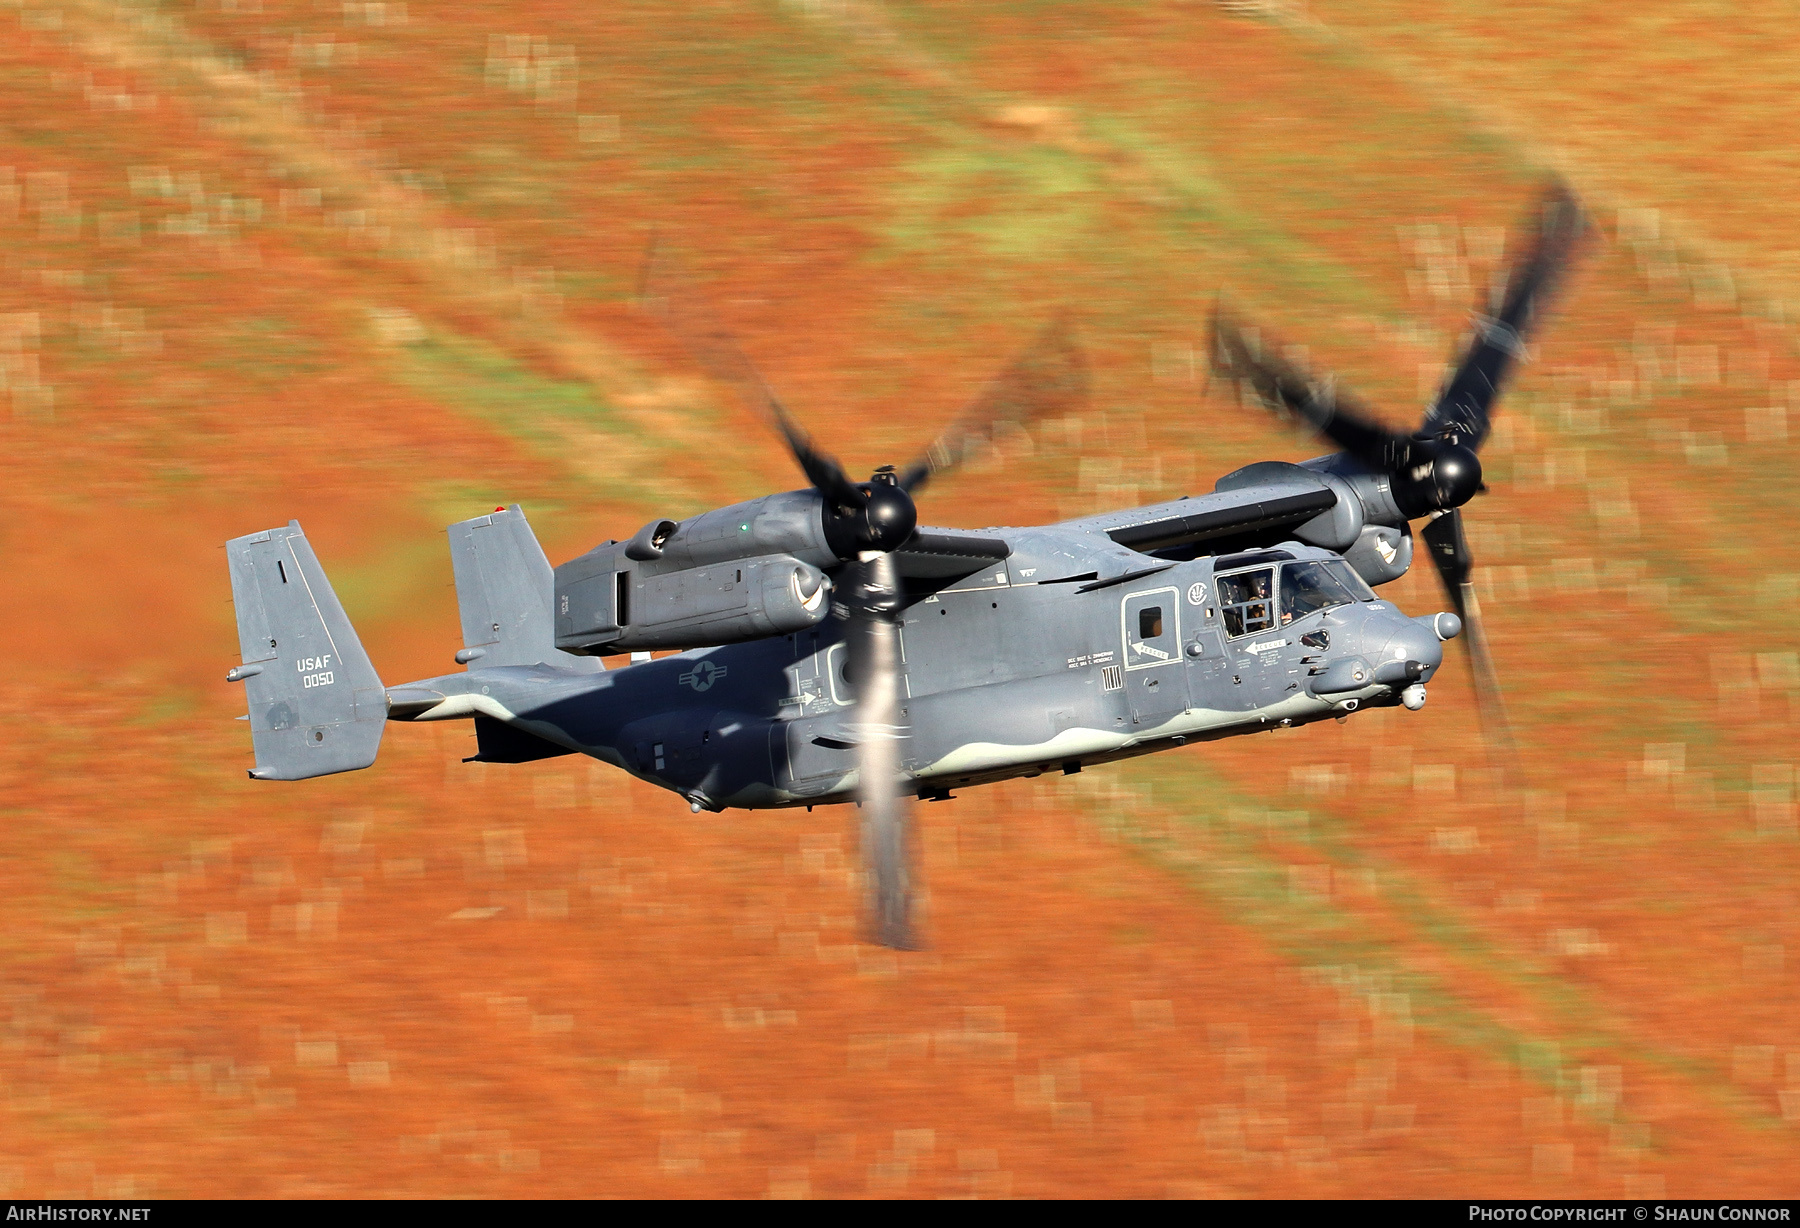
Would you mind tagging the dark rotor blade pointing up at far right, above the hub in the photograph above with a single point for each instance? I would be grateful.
(1462, 408)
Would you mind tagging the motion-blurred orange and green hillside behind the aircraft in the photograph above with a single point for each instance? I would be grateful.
(373, 266)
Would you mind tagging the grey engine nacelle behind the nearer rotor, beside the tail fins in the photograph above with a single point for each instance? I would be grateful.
(719, 579)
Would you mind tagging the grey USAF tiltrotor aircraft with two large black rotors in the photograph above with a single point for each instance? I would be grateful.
(831, 649)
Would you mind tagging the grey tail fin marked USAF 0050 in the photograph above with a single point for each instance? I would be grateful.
(316, 701)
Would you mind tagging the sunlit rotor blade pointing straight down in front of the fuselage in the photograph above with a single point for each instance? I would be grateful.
(883, 730)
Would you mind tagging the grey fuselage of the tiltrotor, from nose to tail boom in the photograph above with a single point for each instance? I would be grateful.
(1070, 653)
